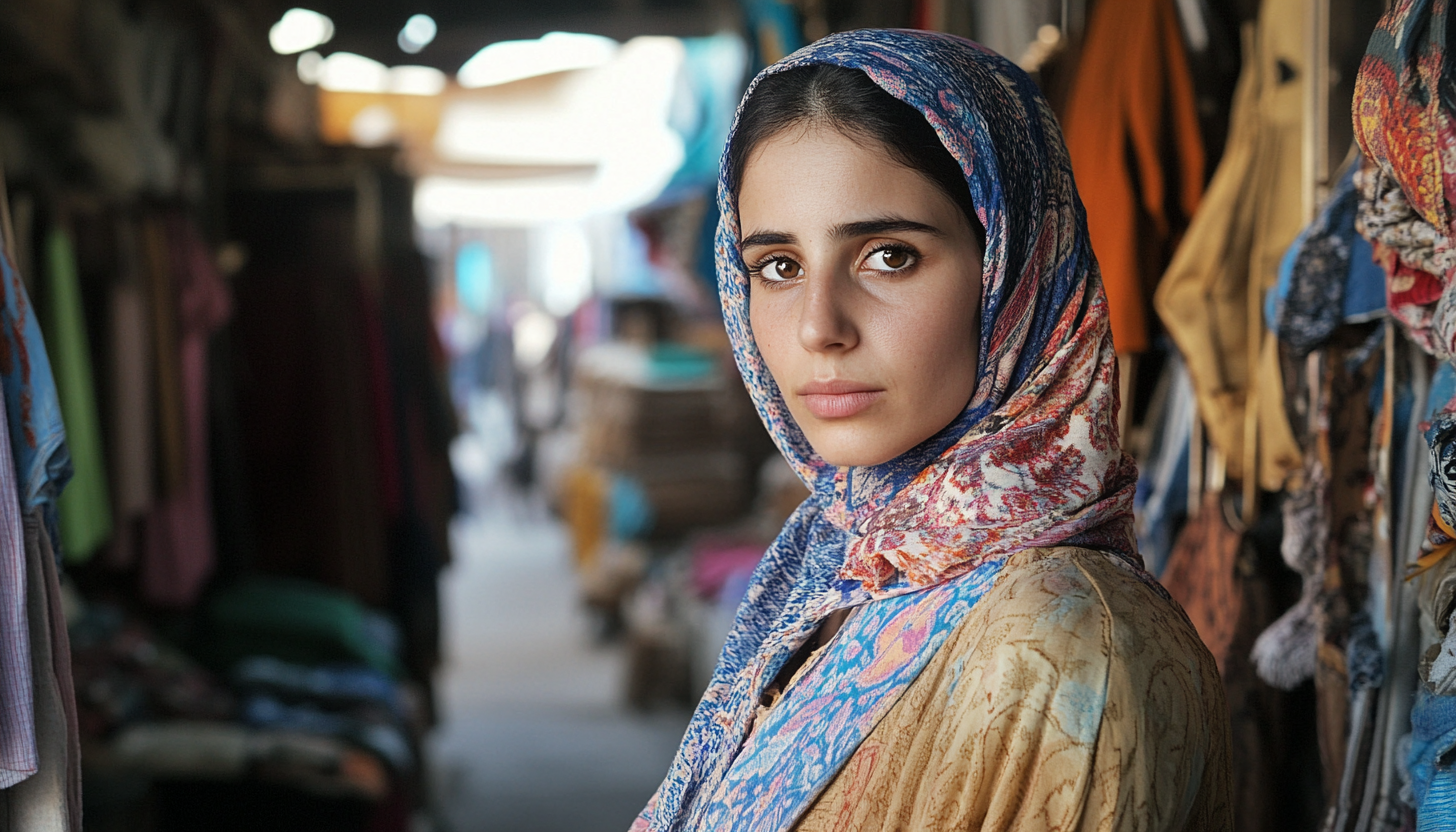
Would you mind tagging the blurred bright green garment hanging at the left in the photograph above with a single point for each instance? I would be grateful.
(85, 506)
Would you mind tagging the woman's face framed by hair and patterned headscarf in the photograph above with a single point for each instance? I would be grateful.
(866, 295)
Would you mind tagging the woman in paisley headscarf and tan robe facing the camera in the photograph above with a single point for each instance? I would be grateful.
(954, 632)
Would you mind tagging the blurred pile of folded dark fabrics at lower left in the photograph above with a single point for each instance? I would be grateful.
(305, 697)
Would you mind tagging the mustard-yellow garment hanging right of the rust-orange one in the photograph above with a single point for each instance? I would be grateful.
(1212, 297)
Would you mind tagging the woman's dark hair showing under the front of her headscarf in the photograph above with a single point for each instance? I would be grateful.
(848, 101)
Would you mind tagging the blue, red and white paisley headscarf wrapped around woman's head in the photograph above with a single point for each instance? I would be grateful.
(1033, 461)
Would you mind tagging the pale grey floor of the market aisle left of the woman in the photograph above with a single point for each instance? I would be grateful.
(534, 735)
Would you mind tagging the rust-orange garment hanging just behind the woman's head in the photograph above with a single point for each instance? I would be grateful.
(1132, 129)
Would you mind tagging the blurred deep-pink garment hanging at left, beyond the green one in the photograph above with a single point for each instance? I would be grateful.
(178, 546)
